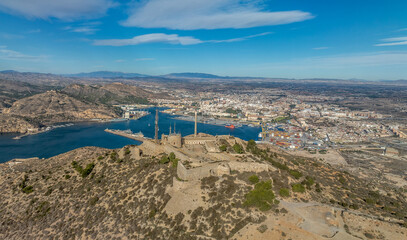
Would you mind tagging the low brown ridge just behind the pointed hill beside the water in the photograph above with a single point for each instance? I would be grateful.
(114, 93)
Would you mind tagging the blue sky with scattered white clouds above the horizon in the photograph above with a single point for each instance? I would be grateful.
(290, 38)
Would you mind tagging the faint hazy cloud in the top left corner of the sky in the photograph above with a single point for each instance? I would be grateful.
(62, 9)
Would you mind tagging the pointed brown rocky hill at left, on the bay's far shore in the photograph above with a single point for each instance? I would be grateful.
(53, 106)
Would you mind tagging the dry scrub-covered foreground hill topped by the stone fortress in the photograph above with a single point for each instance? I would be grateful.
(155, 191)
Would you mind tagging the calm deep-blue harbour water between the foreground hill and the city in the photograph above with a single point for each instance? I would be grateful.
(61, 140)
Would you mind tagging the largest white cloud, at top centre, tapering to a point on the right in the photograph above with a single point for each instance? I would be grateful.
(208, 14)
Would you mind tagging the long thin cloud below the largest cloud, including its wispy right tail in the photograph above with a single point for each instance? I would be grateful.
(167, 38)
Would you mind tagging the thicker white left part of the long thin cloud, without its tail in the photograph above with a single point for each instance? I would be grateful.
(149, 38)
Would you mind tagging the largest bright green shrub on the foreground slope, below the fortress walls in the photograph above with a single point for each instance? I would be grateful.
(261, 196)
